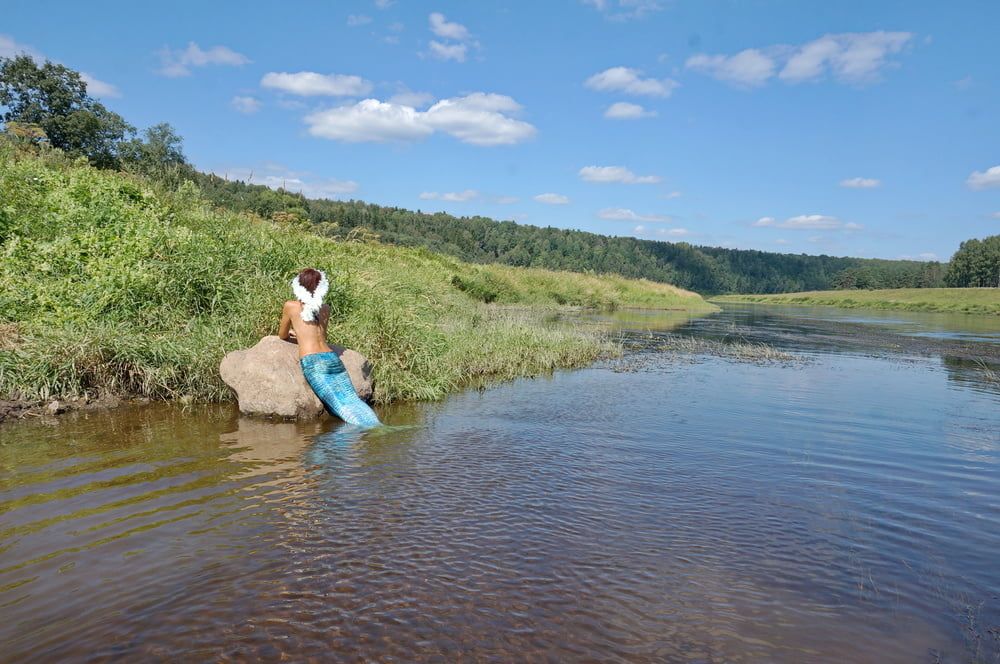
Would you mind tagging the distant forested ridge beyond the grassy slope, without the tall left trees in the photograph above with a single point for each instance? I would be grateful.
(709, 270)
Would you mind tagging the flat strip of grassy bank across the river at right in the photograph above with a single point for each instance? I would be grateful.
(948, 300)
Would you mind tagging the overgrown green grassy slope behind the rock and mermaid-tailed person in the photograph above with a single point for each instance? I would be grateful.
(110, 286)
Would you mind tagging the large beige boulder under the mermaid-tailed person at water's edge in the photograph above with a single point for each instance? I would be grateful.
(268, 380)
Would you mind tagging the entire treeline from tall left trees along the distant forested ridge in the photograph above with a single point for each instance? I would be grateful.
(47, 105)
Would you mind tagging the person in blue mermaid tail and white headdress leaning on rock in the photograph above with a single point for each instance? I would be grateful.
(305, 319)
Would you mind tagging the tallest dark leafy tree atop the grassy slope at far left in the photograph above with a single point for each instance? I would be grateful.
(55, 98)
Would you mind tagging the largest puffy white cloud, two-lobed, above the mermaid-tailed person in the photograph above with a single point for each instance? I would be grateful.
(478, 118)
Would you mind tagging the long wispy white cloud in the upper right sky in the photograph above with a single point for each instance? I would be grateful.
(852, 57)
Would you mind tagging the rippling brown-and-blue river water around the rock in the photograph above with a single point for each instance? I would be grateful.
(841, 506)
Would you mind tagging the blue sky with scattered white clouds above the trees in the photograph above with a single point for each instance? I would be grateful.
(846, 128)
